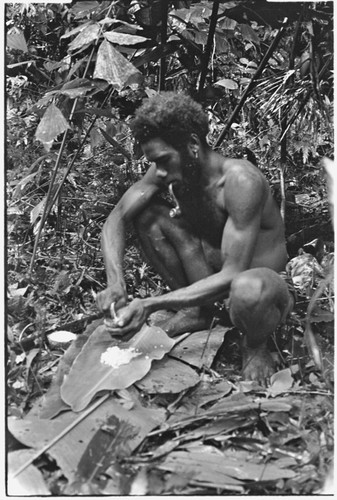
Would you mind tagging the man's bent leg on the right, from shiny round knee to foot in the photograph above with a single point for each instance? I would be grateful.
(259, 303)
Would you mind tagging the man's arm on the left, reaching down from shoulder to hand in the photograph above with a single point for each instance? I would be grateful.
(113, 238)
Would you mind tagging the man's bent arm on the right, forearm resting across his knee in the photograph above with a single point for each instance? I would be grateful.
(245, 194)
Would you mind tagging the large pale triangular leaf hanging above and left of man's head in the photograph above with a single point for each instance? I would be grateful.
(114, 68)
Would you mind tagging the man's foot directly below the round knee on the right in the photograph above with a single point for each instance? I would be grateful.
(257, 364)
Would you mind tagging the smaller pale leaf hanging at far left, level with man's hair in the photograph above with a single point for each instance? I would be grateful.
(52, 124)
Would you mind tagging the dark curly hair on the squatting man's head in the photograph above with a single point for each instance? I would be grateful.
(172, 117)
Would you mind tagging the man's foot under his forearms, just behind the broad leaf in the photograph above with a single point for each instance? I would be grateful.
(186, 320)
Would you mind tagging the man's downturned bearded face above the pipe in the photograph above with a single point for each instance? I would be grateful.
(170, 163)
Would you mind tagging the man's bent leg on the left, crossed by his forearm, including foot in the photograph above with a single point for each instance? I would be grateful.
(178, 256)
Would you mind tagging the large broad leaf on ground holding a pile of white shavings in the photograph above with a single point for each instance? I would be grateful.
(148, 344)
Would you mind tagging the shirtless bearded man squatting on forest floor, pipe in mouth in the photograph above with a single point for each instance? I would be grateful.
(223, 240)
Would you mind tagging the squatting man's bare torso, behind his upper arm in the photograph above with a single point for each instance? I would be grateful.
(203, 205)
